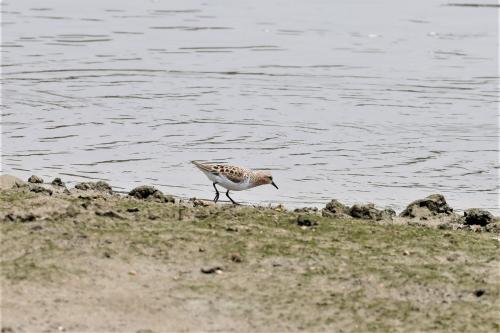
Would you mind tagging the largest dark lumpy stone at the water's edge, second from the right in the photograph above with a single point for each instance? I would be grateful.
(432, 205)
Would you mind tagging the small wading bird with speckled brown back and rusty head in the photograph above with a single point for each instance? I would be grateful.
(234, 178)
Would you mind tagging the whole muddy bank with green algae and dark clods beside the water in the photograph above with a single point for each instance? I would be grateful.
(88, 259)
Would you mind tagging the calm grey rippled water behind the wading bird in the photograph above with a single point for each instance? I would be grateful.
(363, 101)
